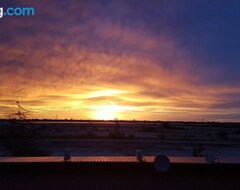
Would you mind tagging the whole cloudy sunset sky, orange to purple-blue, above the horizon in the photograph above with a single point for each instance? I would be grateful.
(135, 59)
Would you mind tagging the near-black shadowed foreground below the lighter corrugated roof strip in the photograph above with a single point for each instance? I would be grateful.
(114, 176)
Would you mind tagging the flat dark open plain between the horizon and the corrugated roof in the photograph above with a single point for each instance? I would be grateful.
(102, 138)
